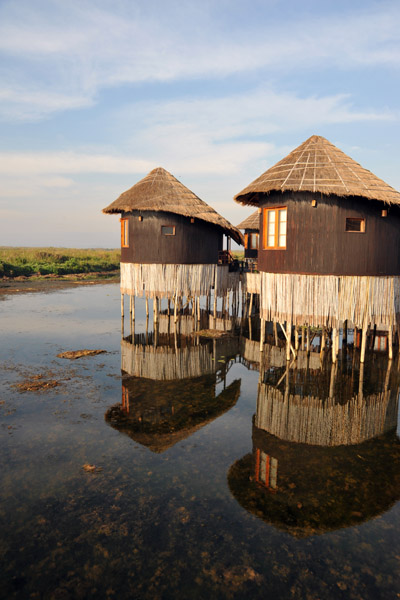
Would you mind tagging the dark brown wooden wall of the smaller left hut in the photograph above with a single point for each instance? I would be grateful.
(193, 243)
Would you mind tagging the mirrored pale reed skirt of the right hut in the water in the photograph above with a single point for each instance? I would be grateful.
(311, 420)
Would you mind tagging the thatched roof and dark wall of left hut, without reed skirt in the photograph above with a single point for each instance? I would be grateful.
(162, 221)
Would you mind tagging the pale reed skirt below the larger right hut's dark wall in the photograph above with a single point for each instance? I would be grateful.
(328, 300)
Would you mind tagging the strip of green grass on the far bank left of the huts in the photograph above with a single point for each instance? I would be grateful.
(30, 262)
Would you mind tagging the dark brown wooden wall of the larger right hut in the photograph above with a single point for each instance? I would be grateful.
(317, 242)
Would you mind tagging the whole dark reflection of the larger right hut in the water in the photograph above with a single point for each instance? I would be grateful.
(325, 450)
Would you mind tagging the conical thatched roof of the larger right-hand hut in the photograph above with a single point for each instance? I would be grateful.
(318, 166)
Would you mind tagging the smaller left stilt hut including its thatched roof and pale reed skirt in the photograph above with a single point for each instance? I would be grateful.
(170, 241)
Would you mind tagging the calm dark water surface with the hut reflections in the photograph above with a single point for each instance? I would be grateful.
(214, 476)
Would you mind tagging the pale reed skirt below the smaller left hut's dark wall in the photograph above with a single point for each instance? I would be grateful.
(163, 281)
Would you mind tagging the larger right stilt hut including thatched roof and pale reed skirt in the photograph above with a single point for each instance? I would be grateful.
(329, 240)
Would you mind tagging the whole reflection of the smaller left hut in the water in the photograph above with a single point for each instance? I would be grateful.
(172, 385)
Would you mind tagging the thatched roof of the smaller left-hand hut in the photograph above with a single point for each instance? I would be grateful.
(161, 191)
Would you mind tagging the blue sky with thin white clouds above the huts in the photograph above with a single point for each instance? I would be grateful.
(95, 94)
